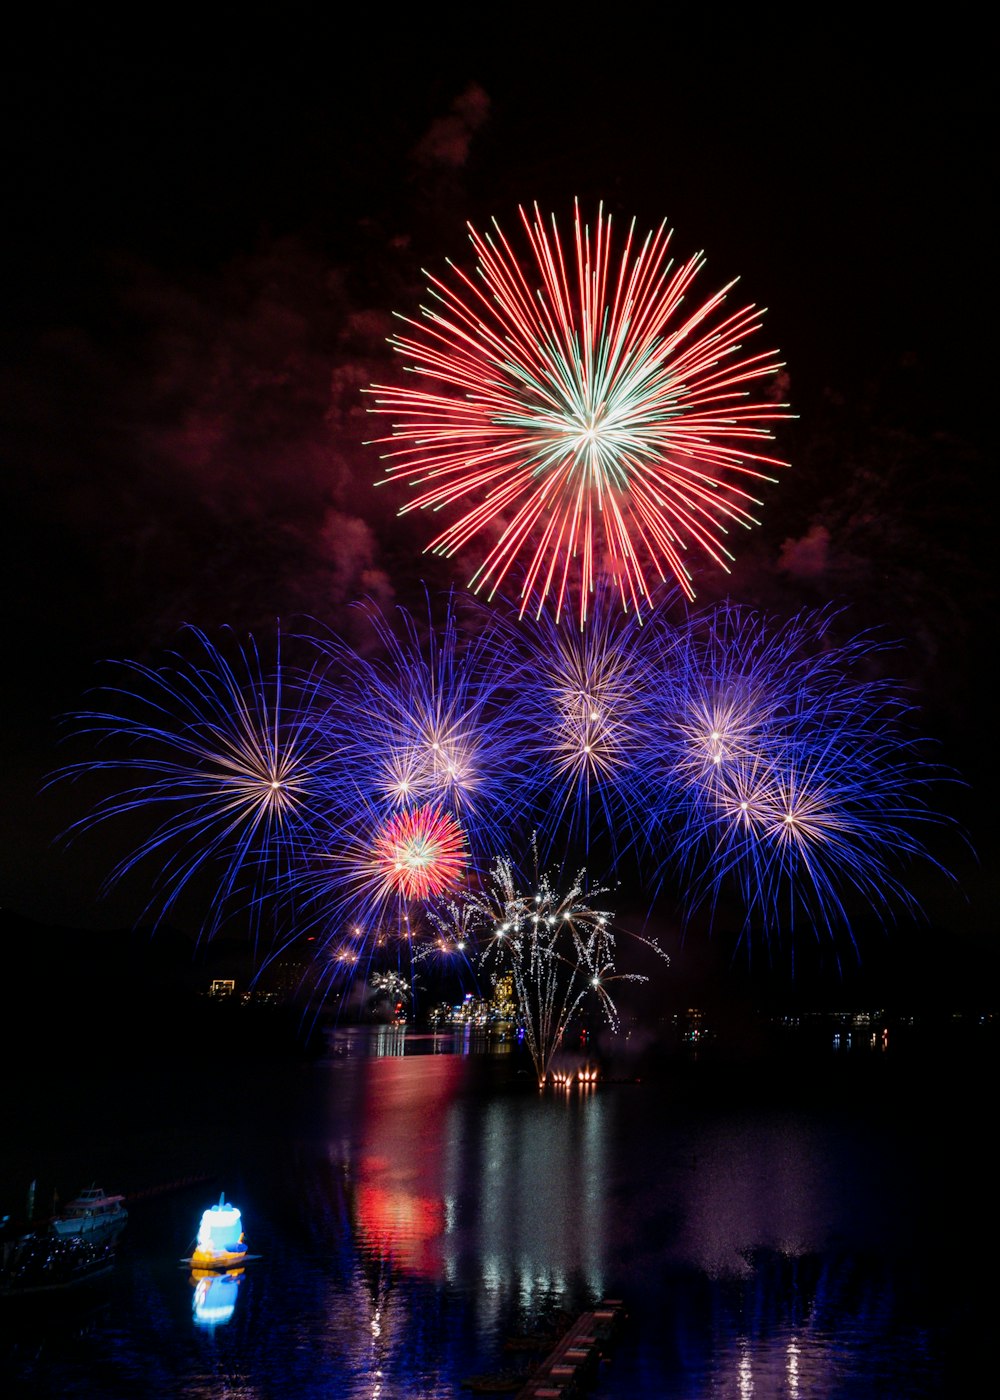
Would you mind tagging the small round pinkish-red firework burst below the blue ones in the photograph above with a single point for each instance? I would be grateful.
(419, 853)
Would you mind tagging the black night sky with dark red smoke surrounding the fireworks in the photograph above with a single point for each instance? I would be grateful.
(208, 234)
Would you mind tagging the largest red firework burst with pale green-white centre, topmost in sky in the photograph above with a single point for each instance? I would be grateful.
(589, 422)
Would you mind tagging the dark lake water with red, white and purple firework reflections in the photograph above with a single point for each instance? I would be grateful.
(802, 1226)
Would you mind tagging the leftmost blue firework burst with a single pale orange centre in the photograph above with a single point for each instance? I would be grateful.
(229, 752)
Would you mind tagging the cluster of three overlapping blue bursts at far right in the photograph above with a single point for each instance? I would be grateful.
(788, 775)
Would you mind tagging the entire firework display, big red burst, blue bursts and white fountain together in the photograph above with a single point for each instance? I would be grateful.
(593, 428)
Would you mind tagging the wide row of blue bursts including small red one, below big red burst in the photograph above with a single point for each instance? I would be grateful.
(728, 754)
